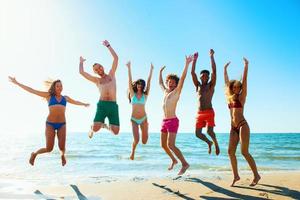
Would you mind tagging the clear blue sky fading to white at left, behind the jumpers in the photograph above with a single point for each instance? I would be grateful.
(44, 39)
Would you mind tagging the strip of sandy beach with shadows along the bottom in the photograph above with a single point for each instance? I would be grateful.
(277, 185)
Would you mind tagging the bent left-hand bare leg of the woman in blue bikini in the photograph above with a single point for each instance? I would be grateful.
(50, 137)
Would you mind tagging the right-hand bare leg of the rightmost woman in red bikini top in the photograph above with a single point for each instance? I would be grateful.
(244, 138)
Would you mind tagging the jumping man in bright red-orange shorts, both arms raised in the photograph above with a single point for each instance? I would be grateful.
(206, 114)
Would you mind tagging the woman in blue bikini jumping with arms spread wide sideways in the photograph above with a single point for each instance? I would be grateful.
(56, 121)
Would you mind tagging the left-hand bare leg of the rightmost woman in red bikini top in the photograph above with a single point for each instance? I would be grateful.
(233, 142)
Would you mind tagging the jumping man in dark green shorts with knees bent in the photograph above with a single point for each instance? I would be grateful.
(107, 105)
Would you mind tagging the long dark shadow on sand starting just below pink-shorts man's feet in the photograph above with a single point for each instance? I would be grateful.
(222, 190)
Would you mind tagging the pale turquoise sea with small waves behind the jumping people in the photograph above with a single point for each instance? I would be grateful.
(105, 157)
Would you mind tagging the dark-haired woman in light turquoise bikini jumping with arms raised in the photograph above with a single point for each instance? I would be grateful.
(138, 93)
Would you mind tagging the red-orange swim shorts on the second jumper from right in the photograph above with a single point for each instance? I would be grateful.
(205, 118)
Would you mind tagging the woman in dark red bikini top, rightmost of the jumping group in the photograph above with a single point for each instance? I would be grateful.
(236, 93)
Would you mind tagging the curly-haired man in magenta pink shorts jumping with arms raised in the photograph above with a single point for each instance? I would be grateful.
(170, 123)
